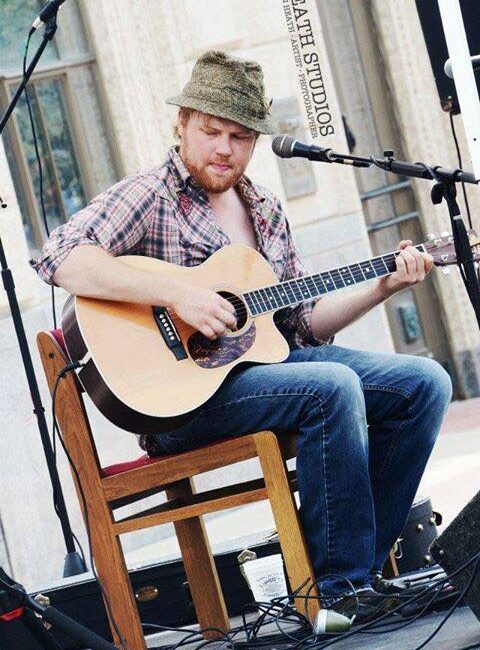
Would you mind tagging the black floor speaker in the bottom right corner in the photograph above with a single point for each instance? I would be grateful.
(459, 542)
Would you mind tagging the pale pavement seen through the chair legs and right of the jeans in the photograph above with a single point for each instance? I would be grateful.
(451, 479)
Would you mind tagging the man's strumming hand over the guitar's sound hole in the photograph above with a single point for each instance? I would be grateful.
(204, 310)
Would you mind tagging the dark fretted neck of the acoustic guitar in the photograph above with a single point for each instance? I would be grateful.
(293, 292)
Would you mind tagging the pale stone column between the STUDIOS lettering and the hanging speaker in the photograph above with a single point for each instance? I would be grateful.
(426, 136)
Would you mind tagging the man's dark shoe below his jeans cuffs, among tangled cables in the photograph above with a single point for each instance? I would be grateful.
(366, 606)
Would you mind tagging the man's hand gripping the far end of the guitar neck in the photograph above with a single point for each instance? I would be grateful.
(412, 267)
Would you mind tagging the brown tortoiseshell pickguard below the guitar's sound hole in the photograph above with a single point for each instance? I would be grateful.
(224, 350)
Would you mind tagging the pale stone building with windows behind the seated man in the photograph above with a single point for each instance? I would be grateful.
(98, 104)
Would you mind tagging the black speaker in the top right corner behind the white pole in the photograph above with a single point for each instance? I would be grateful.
(430, 20)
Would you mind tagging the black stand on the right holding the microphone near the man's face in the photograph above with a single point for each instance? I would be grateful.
(444, 188)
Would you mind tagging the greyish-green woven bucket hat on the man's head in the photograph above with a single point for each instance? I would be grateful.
(224, 86)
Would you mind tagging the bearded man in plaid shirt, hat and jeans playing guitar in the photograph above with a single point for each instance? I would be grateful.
(356, 483)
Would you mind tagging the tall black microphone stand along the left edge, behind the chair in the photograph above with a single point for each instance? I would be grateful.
(74, 564)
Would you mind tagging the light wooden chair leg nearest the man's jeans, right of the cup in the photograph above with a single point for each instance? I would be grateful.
(287, 520)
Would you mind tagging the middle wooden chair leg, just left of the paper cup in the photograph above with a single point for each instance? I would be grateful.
(199, 566)
